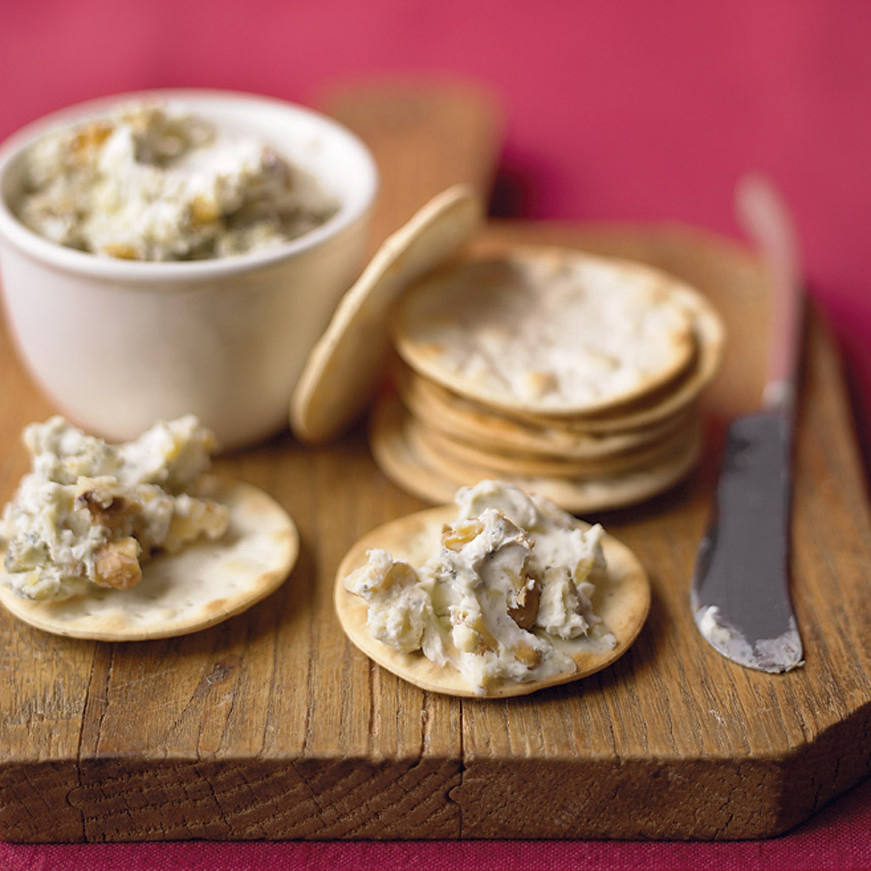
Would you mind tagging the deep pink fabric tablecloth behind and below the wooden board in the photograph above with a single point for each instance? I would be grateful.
(617, 111)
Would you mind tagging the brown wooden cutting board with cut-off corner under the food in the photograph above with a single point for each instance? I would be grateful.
(272, 725)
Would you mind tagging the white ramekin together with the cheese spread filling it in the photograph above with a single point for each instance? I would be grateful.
(178, 252)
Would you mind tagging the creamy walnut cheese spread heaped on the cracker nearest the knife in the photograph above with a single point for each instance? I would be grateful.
(506, 597)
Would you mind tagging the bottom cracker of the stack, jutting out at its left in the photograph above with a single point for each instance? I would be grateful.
(435, 478)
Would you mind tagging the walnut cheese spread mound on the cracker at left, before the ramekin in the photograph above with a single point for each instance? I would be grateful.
(89, 513)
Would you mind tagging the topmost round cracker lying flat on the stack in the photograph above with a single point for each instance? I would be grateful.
(547, 330)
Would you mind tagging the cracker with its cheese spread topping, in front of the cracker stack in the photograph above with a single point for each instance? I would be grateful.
(501, 594)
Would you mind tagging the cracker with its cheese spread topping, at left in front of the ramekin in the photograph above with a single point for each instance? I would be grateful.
(133, 541)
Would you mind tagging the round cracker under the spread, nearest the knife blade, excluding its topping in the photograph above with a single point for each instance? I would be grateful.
(621, 598)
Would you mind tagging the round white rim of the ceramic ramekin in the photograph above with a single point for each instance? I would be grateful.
(86, 263)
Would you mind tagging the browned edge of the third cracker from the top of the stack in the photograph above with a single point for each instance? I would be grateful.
(488, 430)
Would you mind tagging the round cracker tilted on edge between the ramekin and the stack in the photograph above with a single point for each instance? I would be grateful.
(344, 366)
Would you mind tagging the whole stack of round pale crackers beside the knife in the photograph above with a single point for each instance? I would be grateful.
(574, 376)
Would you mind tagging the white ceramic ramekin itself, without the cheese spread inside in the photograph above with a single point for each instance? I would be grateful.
(117, 344)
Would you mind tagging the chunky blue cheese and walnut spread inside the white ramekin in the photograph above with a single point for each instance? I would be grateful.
(154, 182)
